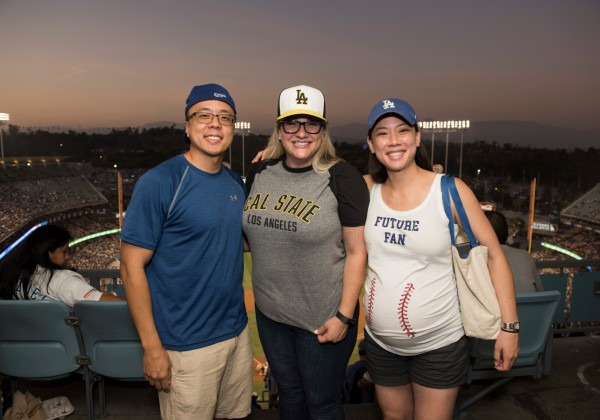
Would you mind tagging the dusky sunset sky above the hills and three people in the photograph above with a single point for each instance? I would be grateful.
(84, 63)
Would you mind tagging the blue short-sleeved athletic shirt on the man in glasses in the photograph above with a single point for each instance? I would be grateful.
(192, 220)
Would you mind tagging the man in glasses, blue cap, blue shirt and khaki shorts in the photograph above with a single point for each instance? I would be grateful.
(182, 269)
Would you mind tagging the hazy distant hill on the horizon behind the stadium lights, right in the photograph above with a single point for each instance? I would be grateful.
(521, 133)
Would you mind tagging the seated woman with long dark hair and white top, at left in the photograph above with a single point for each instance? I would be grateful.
(35, 270)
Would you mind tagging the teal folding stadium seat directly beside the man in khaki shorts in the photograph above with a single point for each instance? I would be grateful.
(112, 345)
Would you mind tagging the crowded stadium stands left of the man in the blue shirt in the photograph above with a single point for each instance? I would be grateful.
(76, 195)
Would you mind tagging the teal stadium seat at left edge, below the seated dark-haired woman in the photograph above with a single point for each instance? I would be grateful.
(37, 341)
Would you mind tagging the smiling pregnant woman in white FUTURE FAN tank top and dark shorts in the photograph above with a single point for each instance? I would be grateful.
(415, 341)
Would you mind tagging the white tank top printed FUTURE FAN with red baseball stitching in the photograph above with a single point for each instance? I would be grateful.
(410, 298)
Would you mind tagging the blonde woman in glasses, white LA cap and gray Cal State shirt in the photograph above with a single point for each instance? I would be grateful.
(304, 221)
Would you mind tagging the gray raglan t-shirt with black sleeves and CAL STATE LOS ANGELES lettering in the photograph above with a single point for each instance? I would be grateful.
(293, 221)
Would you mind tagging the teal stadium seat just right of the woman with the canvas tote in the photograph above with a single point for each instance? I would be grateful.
(536, 311)
